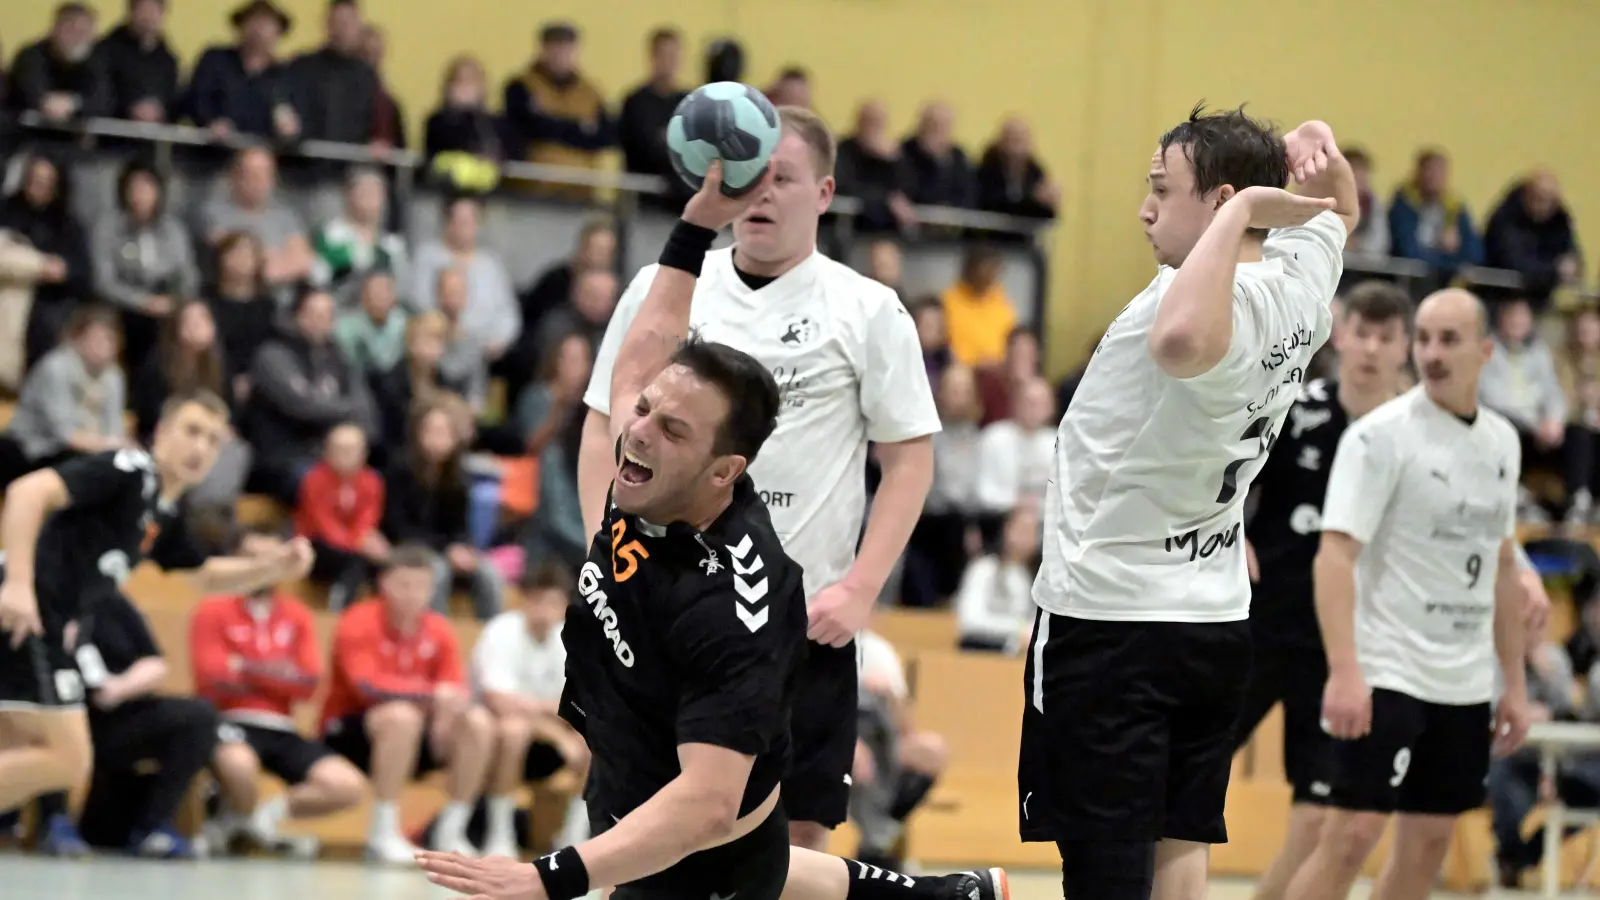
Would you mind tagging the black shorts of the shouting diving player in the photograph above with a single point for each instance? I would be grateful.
(754, 867)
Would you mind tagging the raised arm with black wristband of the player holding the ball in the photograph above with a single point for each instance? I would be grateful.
(663, 318)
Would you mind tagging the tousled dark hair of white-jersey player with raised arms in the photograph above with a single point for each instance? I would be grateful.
(1230, 148)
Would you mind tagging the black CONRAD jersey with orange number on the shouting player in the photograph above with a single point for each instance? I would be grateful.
(684, 637)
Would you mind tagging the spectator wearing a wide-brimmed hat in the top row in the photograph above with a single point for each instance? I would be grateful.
(246, 87)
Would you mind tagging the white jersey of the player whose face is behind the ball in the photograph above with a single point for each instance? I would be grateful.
(850, 369)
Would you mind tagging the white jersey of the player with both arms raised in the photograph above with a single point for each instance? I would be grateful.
(1145, 508)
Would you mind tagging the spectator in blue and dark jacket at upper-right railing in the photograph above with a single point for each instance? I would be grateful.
(1430, 222)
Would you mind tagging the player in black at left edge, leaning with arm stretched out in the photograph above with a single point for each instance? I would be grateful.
(73, 534)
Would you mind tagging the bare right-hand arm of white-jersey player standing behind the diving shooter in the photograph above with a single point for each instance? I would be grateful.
(841, 611)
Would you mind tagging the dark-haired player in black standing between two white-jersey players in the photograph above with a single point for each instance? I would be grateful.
(1282, 537)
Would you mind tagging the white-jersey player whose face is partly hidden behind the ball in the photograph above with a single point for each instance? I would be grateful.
(850, 369)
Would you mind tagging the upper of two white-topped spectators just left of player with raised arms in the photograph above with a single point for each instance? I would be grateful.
(1015, 454)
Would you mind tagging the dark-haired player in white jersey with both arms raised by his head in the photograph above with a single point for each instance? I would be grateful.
(1142, 653)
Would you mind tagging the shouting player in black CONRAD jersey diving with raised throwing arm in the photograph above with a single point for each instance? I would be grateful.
(686, 641)
